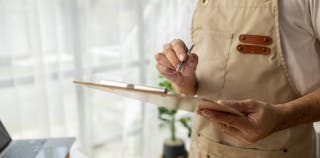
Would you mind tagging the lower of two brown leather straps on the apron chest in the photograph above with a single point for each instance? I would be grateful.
(250, 49)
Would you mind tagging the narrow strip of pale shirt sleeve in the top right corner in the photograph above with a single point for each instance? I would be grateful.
(315, 16)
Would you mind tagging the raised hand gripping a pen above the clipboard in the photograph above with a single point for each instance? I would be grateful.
(183, 82)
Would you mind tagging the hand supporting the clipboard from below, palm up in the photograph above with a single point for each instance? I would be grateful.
(260, 120)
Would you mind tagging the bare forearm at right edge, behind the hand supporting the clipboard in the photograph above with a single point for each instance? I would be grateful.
(303, 110)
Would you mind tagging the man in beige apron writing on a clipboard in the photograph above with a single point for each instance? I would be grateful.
(261, 57)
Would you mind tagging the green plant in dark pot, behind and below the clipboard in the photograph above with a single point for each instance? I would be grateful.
(173, 147)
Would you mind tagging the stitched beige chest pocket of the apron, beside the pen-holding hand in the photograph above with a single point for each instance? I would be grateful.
(213, 51)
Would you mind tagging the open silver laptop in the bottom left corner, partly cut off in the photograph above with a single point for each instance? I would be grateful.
(33, 148)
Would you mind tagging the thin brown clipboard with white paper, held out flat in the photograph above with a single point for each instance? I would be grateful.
(157, 96)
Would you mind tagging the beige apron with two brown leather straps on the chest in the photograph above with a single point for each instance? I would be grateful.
(230, 68)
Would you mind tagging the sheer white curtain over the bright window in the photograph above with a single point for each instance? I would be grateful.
(46, 44)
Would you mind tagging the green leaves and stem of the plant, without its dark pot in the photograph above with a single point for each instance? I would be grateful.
(169, 116)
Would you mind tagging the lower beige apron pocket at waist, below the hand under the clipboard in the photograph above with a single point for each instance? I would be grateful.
(211, 149)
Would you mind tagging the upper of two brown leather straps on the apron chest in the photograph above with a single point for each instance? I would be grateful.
(255, 39)
